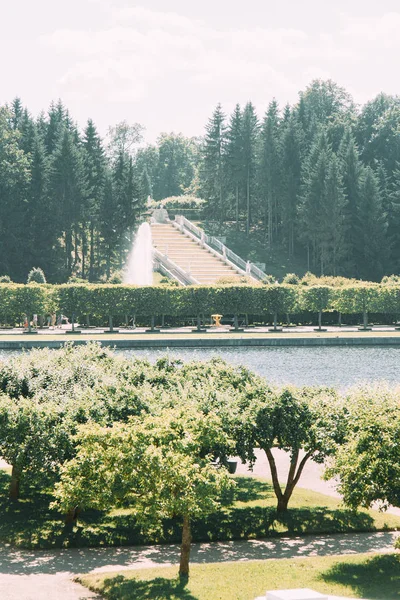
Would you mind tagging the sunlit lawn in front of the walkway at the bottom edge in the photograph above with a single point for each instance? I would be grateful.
(376, 577)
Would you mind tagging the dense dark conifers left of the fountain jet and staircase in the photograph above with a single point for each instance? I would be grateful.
(67, 203)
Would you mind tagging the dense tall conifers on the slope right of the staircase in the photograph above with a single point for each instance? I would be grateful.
(320, 178)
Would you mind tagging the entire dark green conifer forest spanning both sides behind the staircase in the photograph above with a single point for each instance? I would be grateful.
(319, 179)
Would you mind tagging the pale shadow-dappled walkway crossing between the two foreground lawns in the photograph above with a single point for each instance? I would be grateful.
(48, 574)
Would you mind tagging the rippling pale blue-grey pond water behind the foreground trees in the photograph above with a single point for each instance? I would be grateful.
(340, 367)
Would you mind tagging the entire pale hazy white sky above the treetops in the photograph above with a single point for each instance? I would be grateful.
(167, 64)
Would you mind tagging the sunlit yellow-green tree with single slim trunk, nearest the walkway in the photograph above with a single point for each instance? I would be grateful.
(159, 465)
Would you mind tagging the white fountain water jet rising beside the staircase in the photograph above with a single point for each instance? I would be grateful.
(139, 269)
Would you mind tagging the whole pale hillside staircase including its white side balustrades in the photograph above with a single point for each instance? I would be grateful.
(186, 253)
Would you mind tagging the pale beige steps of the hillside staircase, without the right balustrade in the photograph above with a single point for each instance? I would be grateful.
(203, 265)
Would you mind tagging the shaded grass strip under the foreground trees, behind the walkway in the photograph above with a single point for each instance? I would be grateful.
(30, 523)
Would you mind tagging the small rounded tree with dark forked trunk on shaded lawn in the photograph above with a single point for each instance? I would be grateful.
(306, 423)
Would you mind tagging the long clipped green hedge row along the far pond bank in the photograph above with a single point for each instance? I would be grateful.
(101, 302)
